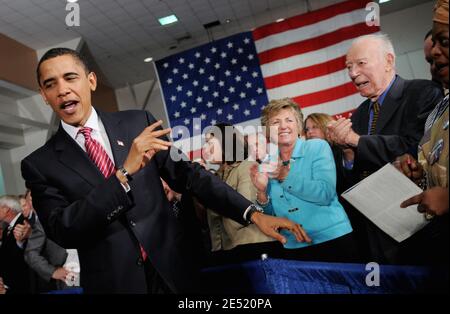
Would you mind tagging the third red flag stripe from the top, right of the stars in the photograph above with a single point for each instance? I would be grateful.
(305, 73)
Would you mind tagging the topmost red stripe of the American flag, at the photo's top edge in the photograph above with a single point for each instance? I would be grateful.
(308, 18)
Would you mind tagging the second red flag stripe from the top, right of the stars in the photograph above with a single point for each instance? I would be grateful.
(316, 43)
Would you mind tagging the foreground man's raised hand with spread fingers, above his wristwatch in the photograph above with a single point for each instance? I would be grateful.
(145, 146)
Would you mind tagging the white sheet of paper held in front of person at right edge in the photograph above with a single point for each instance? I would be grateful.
(379, 197)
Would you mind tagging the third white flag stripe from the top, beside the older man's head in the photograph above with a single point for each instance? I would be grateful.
(309, 86)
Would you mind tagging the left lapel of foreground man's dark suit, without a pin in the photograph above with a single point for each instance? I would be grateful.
(72, 156)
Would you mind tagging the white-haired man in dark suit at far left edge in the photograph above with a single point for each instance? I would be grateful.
(13, 269)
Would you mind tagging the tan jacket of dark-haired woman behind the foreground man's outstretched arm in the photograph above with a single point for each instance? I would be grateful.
(226, 233)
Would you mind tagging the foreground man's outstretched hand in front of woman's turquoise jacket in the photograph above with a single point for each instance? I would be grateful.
(270, 225)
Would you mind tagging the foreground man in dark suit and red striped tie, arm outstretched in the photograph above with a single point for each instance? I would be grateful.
(119, 220)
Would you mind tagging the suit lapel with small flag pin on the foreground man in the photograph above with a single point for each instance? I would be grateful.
(117, 135)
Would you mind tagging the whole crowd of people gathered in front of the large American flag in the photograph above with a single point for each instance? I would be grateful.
(145, 223)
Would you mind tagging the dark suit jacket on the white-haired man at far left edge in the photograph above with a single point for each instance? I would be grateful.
(13, 269)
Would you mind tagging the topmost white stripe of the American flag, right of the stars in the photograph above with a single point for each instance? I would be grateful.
(311, 31)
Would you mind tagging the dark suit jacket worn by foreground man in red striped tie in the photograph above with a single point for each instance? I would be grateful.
(80, 209)
